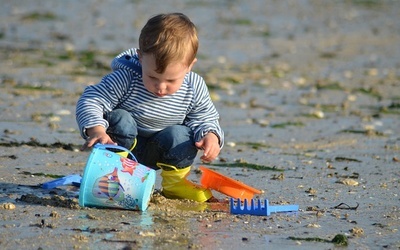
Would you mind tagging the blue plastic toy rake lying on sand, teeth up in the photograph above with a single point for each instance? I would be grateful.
(259, 208)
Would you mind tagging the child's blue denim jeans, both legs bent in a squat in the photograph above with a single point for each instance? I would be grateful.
(174, 145)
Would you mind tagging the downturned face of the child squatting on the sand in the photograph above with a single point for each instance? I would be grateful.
(165, 83)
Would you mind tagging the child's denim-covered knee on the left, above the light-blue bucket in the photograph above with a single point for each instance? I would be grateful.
(122, 127)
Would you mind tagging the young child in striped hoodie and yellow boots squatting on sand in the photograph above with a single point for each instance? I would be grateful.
(154, 105)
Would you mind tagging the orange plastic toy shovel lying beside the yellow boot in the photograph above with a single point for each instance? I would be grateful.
(223, 184)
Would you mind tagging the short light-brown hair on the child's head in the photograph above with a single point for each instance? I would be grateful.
(169, 38)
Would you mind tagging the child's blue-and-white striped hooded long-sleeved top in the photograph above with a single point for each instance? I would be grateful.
(191, 105)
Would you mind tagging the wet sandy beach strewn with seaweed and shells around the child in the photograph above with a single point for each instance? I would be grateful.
(310, 88)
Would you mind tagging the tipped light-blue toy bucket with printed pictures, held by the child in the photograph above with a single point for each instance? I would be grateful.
(113, 181)
